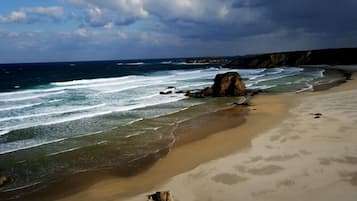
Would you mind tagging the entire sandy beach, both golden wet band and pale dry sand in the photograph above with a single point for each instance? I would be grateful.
(283, 149)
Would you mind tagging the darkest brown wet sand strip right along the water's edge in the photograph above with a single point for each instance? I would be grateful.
(225, 117)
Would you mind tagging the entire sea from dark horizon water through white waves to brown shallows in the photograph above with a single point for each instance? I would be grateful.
(59, 119)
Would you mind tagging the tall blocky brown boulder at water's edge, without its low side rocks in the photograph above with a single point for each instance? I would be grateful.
(228, 84)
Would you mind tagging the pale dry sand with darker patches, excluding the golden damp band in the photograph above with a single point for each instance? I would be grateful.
(301, 158)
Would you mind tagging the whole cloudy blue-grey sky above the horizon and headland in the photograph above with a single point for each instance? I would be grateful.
(73, 30)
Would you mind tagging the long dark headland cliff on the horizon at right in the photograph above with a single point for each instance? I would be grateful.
(343, 56)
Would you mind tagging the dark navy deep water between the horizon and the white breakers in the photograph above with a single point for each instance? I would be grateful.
(23, 76)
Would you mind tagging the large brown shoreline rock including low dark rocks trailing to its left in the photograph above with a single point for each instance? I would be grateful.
(227, 84)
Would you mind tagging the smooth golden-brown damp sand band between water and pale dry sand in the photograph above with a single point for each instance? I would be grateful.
(182, 158)
